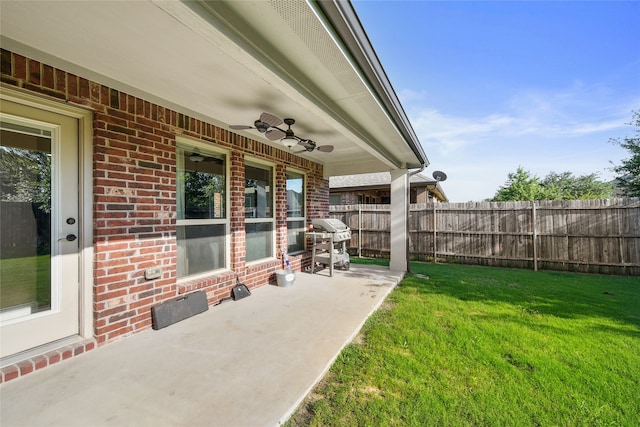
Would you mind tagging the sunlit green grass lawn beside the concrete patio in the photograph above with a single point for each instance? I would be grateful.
(481, 346)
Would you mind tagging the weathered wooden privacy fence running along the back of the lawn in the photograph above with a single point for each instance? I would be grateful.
(597, 236)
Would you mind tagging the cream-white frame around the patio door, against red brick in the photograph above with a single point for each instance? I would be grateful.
(85, 192)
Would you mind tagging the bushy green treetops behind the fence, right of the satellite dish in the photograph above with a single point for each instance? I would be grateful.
(521, 185)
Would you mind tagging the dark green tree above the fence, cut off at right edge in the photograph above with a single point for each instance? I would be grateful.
(629, 170)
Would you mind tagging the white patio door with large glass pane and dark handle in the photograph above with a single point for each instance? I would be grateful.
(39, 271)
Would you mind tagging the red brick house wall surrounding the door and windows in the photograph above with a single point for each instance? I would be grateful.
(134, 171)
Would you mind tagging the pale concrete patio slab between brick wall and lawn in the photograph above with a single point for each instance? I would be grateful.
(242, 363)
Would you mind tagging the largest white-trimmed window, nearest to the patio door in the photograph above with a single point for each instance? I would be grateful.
(202, 221)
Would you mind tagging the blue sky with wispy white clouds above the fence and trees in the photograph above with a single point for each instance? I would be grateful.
(491, 86)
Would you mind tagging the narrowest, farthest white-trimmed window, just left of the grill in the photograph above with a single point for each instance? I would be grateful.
(296, 221)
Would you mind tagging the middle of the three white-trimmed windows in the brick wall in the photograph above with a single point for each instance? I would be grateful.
(258, 211)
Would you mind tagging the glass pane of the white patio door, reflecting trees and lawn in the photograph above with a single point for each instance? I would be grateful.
(25, 209)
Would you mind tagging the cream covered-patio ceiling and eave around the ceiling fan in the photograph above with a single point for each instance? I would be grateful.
(227, 62)
